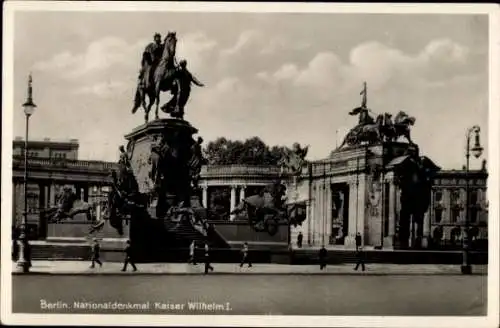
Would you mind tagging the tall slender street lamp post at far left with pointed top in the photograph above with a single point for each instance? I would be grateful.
(24, 260)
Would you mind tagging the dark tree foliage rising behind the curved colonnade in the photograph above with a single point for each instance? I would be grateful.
(252, 151)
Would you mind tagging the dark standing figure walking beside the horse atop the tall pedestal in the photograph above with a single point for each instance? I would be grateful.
(180, 93)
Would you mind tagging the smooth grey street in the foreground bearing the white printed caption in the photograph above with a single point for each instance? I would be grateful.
(255, 294)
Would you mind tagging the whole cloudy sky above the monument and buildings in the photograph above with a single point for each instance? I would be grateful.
(283, 77)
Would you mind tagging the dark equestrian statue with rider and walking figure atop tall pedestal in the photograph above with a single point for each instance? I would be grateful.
(160, 73)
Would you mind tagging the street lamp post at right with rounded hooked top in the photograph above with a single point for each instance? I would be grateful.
(476, 150)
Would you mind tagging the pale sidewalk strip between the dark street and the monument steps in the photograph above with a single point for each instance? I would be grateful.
(114, 268)
